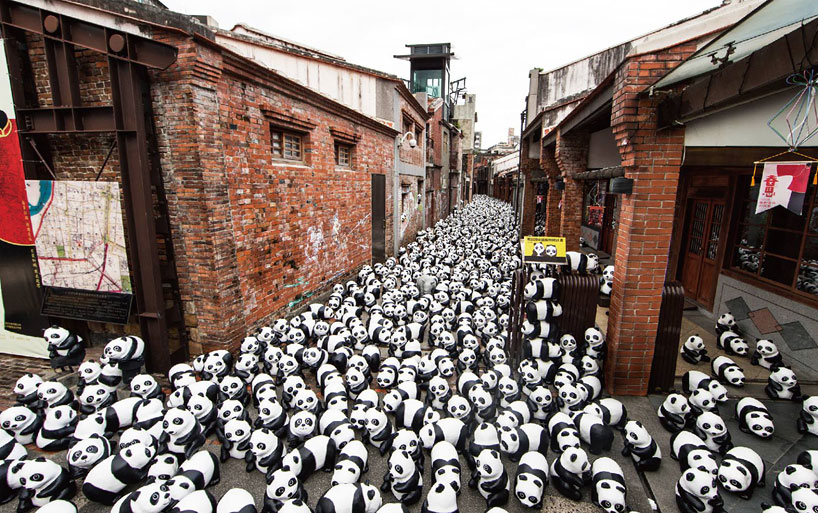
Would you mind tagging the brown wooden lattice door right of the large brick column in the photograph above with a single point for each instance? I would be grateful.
(704, 230)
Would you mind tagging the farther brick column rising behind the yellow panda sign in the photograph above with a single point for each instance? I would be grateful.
(571, 156)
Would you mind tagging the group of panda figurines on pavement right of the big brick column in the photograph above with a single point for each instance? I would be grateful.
(702, 444)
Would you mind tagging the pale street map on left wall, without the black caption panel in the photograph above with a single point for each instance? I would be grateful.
(79, 235)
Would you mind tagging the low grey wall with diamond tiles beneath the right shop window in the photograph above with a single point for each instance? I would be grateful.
(794, 328)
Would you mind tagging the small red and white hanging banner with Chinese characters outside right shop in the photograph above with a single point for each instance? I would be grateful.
(783, 184)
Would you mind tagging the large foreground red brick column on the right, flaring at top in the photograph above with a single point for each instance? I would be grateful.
(652, 159)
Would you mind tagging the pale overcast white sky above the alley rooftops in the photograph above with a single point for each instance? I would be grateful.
(495, 43)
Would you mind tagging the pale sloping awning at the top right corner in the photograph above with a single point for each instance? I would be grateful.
(771, 21)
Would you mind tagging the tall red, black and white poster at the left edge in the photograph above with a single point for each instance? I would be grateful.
(21, 324)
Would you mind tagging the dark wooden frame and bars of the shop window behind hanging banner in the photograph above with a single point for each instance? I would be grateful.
(742, 202)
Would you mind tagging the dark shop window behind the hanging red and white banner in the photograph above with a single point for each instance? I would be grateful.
(776, 246)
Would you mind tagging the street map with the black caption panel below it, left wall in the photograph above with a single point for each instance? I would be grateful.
(80, 241)
